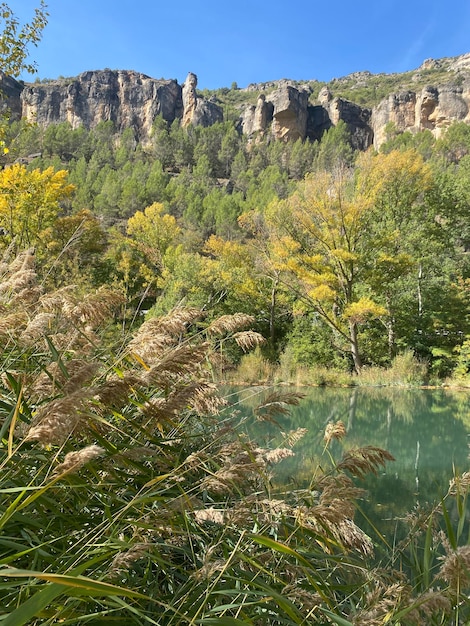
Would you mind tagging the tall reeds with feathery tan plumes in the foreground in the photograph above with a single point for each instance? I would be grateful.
(127, 499)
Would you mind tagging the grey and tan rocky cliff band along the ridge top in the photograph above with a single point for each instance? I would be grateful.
(431, 97)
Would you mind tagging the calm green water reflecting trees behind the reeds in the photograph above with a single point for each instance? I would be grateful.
(427, 431)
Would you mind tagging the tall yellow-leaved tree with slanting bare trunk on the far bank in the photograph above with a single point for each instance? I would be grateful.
(320, 231)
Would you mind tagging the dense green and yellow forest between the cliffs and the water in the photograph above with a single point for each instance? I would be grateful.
(343, 259)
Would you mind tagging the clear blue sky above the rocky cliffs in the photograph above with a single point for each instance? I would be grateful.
(246, 41)
